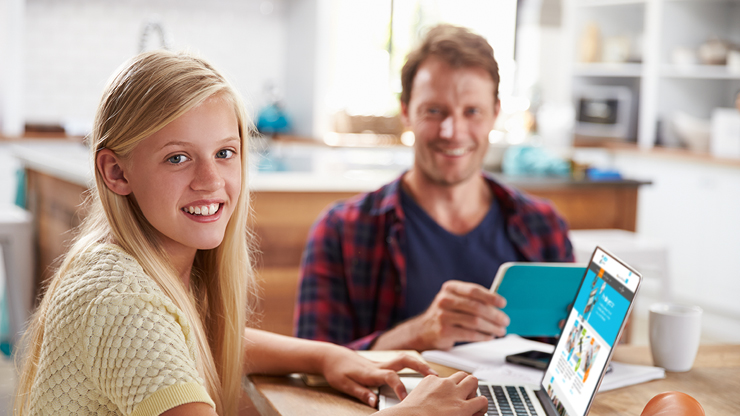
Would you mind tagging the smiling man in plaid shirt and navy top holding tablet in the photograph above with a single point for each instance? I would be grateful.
(408, 266)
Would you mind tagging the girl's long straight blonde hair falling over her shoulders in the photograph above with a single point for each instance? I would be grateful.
(146, 94)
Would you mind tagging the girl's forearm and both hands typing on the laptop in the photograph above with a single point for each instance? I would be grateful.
(347, 371)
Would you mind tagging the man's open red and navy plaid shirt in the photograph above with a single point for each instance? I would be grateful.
(353, 271)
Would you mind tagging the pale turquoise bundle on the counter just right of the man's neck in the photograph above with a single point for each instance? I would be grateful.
(533, 161)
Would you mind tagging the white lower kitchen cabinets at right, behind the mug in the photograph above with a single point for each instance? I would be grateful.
(692, 207)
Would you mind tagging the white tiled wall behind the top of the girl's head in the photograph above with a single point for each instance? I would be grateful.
(73, 46)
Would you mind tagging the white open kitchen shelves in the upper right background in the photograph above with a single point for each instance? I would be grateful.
(652, 48)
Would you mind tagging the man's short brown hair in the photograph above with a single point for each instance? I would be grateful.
(458, 47)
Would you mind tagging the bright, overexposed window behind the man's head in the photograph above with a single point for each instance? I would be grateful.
(370, 41)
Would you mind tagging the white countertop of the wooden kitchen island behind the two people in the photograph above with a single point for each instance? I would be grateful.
(301, 168)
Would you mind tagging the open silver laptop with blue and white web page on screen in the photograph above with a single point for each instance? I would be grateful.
(594, 325)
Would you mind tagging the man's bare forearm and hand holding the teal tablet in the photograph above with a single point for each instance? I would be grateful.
(461, 312)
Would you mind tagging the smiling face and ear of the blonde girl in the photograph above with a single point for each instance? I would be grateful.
(186, 178)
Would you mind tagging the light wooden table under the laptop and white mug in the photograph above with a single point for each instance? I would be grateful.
(714, 382)
